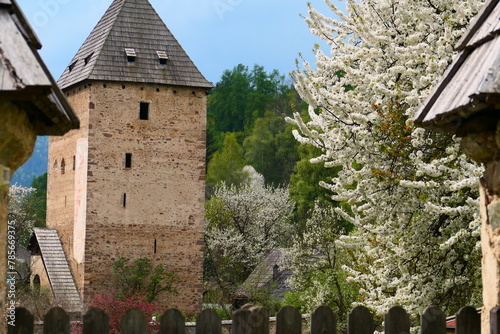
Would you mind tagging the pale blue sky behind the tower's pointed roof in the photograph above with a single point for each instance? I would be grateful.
(217, 34)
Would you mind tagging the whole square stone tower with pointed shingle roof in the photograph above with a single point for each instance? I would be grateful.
(130, 181)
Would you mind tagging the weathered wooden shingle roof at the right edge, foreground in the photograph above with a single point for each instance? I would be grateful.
(472, 82)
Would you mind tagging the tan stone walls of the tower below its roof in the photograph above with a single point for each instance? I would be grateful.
(153, 207)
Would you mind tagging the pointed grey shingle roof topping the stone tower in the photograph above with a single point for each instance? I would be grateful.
(132, 24)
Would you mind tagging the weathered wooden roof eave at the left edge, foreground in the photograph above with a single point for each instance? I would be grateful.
(34, 87)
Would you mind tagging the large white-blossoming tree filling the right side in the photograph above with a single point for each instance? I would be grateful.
(410, 194)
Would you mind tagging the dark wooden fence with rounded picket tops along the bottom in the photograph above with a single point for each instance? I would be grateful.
(255, 320)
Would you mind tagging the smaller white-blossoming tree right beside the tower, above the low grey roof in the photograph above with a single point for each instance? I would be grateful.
(244, 223)
